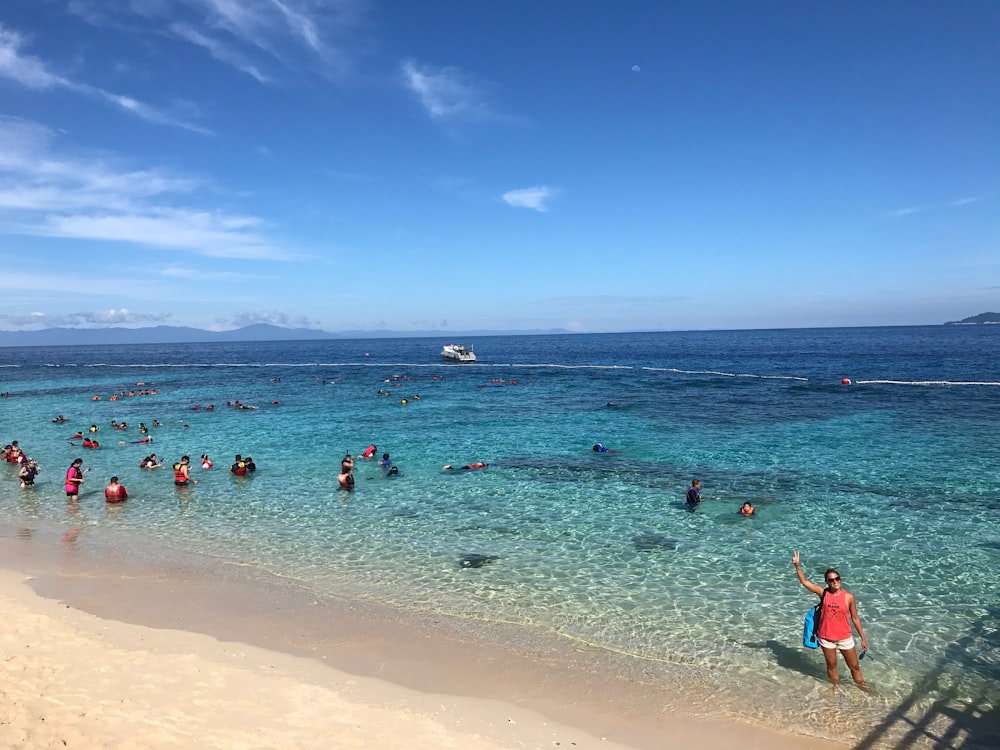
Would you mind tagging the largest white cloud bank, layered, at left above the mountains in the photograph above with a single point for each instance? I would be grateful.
(44, 193)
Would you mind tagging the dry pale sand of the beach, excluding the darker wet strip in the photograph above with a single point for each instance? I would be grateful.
(74, 680)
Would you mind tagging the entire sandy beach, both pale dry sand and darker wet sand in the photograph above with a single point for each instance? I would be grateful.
(76, 679)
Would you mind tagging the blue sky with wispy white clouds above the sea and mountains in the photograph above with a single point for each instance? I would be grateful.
(592, 166)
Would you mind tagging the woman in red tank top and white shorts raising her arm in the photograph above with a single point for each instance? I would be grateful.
(838, 610)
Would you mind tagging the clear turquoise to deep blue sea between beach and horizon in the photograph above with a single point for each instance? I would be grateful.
(893, 479)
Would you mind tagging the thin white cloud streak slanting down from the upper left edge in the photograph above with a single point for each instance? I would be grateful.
(31, 72)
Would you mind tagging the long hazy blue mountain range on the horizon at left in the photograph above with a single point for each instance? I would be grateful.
(186, 335)
